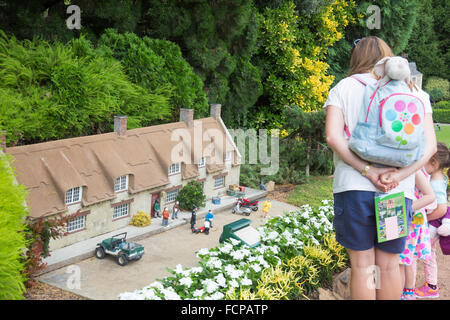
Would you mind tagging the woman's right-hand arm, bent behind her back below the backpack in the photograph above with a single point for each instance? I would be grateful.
(430, 150)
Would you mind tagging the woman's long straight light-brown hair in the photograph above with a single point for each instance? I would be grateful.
(366, 52)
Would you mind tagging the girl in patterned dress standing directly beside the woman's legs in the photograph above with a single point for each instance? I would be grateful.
(418, 244)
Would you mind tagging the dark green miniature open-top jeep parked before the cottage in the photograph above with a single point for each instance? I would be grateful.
(118, 247)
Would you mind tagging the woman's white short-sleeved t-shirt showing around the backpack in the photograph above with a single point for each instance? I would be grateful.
(348, 96)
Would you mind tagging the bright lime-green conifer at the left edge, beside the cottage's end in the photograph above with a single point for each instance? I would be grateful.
(12, 238)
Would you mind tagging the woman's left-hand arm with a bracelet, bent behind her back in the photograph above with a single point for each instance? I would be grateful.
(334, 128)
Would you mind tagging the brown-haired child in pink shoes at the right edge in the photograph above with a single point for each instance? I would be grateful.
(439, 181)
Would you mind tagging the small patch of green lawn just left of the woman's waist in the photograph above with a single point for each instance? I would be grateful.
(317, 189)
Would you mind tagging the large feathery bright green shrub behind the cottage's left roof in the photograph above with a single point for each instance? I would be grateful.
(54, 90)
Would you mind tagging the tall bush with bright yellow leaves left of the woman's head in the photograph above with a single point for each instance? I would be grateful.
(294, 51)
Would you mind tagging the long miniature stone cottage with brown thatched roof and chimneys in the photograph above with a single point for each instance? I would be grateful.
(107, 178)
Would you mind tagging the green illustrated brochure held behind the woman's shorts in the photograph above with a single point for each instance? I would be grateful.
(390, 213)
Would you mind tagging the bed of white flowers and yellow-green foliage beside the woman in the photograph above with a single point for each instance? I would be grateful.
(233, 270)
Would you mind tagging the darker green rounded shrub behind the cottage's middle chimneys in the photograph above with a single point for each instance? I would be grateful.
(154, 64)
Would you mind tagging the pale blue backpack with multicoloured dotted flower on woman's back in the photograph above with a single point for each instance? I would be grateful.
(390, 127)
